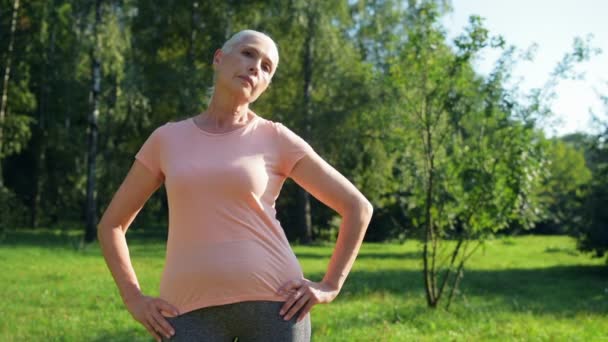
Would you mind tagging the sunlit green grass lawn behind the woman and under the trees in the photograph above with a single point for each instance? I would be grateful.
(529, 288)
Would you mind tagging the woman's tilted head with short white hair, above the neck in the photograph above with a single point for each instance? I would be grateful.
(247, 68)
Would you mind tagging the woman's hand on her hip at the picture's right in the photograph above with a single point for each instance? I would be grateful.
(304, 294)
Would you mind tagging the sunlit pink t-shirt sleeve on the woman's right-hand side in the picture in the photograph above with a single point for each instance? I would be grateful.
(292, 148)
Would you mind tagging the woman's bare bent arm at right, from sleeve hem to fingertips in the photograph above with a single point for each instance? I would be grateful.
(326, 184)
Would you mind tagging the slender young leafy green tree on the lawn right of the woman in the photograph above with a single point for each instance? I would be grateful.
(466, 167)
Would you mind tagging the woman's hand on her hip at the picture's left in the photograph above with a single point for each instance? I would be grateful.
(151, 312)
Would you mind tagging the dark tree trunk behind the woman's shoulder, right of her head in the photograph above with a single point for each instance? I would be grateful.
(304, 210)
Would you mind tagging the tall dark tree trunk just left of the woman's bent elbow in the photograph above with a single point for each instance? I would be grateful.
(91, 210)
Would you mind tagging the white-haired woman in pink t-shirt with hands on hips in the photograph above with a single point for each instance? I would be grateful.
(229, 270)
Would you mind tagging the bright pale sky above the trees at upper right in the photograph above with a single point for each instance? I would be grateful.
(552, 25)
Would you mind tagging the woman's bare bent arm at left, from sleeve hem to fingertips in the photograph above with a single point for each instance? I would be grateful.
(137, 187)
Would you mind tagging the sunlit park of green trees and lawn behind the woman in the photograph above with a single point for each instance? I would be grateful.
(488, 225)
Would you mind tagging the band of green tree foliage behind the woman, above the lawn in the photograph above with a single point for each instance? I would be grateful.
(381, 73)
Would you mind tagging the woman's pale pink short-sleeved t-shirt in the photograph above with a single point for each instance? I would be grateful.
(225, 244)
